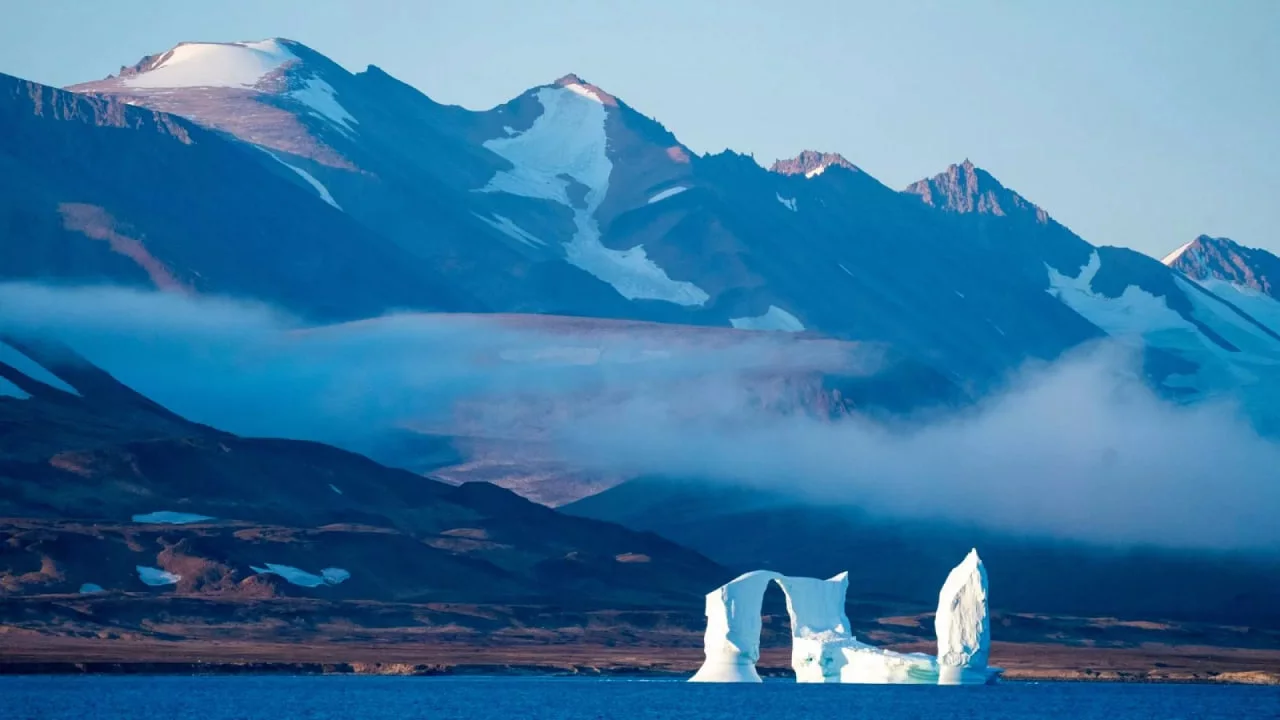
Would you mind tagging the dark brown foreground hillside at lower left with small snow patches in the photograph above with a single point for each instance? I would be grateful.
(100, 486)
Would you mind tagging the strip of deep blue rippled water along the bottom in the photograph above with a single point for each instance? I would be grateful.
(574, 699)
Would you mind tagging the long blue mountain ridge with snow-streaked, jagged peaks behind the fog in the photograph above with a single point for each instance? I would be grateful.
(568, 200)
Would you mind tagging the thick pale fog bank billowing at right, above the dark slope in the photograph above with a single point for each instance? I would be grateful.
(1080, 449)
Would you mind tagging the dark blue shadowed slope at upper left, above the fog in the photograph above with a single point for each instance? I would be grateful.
(98, 192)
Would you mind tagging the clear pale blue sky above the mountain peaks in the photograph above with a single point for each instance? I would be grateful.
(1135, 122)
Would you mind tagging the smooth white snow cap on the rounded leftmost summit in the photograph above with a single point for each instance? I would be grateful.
(216, 65)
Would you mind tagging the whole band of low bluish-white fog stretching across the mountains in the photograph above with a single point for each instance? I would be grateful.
(1080, 449)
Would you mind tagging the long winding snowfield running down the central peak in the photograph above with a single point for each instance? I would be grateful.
(569, 142)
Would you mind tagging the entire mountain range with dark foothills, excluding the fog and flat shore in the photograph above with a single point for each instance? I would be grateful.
(264, 172)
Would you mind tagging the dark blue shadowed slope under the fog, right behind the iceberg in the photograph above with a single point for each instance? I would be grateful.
(899, 562)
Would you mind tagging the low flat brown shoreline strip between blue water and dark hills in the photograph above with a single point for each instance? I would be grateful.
(49, 657)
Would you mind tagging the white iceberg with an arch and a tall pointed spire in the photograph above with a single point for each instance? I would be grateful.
(824, 650)
